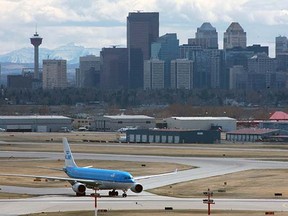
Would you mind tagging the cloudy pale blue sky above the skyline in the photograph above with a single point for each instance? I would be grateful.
(102, 23)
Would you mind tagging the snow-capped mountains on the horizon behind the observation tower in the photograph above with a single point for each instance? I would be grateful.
(69, 52)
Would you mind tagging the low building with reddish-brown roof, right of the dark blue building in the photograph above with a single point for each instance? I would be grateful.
(252, 135)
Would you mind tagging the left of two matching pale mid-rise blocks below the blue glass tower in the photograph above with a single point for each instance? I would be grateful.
(154, 74)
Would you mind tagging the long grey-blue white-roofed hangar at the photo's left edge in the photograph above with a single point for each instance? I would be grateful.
(35, 123)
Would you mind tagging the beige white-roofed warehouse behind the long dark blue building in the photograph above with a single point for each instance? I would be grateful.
(201, 123)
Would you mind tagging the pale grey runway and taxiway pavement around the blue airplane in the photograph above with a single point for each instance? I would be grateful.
(64, 199)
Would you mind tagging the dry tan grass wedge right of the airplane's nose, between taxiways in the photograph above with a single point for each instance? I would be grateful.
(247, 184)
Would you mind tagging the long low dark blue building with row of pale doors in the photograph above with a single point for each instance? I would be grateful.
(173, 136)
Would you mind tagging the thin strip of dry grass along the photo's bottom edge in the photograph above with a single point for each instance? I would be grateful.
(160, 213)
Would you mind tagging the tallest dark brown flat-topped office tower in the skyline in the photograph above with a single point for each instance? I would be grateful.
(142, 31)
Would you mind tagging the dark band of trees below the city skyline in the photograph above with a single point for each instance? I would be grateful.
(131, 98)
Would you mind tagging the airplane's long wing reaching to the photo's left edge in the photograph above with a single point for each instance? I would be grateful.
(87, 181)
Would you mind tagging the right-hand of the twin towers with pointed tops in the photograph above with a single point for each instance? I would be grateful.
(234, 36)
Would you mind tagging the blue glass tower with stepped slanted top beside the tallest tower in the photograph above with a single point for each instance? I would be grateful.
(166, 48)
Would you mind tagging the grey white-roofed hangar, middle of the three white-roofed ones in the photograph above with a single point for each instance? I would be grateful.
(115, 122)
